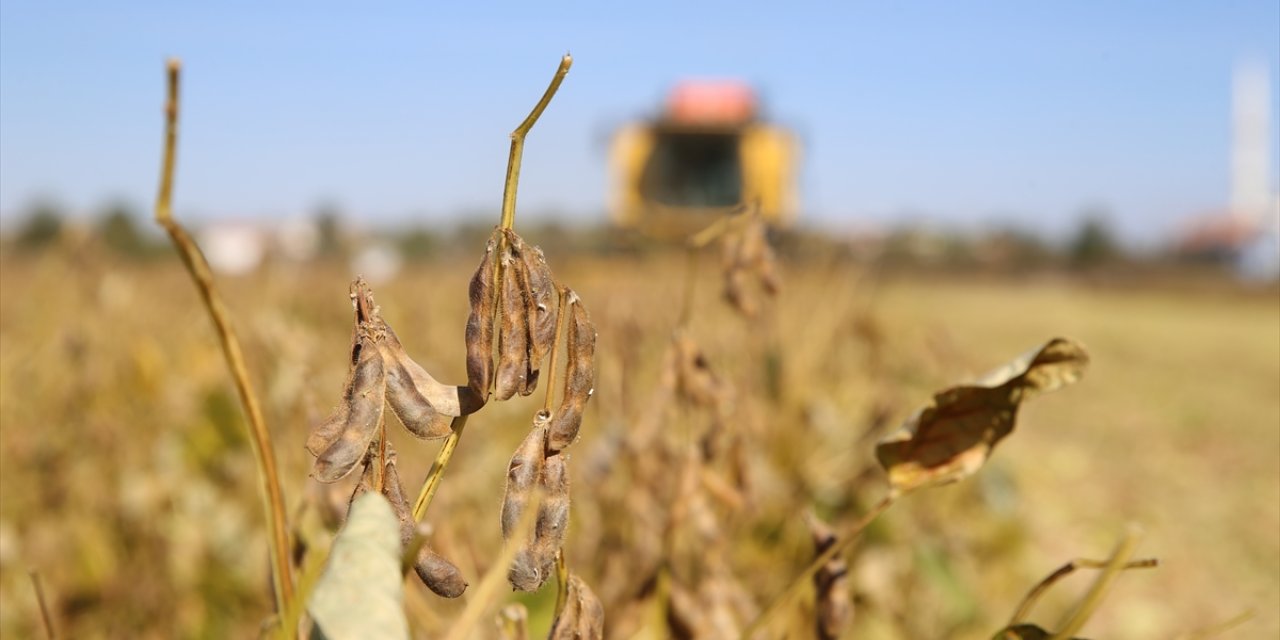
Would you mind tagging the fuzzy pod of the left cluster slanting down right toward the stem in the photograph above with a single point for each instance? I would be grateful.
(422, 404)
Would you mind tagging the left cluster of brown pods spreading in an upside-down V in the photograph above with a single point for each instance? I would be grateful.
(382, 373)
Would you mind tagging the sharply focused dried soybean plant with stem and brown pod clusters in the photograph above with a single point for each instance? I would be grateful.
(518, 317)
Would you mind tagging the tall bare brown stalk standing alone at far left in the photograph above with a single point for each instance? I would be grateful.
(203, 277)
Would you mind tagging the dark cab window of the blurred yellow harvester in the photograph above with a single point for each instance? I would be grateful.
(694, 170)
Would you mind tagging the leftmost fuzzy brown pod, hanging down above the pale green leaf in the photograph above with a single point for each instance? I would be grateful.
(362, 413)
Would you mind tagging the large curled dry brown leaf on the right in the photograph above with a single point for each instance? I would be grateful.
(954, 437)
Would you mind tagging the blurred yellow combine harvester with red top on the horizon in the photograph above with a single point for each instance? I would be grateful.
(706, 156)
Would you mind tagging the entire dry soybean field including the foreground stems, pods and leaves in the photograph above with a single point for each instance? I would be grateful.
(733, 473)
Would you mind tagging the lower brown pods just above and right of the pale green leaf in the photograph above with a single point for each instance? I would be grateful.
(437, 573)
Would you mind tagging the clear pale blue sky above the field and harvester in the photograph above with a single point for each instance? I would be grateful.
(962, 113)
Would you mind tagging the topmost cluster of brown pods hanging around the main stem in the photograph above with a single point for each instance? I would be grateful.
(513, 294)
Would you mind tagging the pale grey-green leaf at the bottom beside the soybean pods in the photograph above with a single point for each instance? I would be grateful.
(362, 593)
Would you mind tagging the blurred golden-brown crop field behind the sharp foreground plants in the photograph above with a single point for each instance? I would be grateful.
(129, 484)
